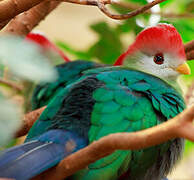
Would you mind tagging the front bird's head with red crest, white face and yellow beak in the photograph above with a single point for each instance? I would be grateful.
(157, 50)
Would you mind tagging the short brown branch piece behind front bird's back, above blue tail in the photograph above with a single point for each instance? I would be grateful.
(28, 121)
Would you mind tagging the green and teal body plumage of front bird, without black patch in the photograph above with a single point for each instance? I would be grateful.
(125, 101)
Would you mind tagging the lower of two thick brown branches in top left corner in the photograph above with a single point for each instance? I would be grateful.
(25, 22)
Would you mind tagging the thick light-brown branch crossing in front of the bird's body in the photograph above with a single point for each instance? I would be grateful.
(180, 126)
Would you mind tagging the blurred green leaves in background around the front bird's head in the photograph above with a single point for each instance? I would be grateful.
(110, 42)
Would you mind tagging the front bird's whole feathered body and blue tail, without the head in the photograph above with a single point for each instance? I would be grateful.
(102, 101)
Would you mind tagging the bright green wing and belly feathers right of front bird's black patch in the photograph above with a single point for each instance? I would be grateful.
(128, 102)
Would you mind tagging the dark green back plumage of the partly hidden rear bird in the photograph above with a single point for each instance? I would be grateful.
(67, 73)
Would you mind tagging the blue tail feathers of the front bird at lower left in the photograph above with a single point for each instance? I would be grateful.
(45, 152)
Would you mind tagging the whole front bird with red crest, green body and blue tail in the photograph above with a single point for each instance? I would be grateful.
(140, 91)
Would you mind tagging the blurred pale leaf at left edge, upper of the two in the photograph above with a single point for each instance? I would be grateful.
(25, 60)
